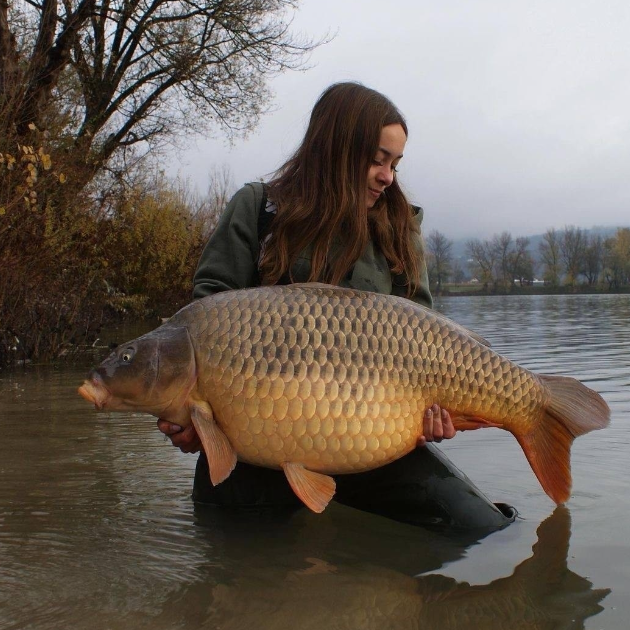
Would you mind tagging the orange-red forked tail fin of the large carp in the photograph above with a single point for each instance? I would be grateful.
(572, 410)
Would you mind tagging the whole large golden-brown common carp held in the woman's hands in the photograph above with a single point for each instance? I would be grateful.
(319, 380)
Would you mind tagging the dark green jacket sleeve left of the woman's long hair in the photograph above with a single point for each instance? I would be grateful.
(230, 258)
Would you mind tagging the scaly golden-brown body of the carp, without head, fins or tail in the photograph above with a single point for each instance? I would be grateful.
(339, 380)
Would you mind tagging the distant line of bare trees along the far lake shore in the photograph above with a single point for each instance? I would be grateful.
(569, 259)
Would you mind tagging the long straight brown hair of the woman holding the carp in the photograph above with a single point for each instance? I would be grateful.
(320, 193)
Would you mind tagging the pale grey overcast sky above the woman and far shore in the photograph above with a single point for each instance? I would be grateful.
(518, 111)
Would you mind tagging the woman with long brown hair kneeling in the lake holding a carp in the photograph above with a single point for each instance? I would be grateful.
(334, 213)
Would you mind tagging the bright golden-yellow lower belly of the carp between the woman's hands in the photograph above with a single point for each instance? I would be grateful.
(329, 427)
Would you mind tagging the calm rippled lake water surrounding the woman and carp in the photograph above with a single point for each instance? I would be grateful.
(97, 529)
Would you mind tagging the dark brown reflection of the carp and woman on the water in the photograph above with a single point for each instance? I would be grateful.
(541, 593)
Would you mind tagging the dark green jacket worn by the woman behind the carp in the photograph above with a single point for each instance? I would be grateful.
(230, 258)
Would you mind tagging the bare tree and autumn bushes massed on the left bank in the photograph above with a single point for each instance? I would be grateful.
(87, 88)
